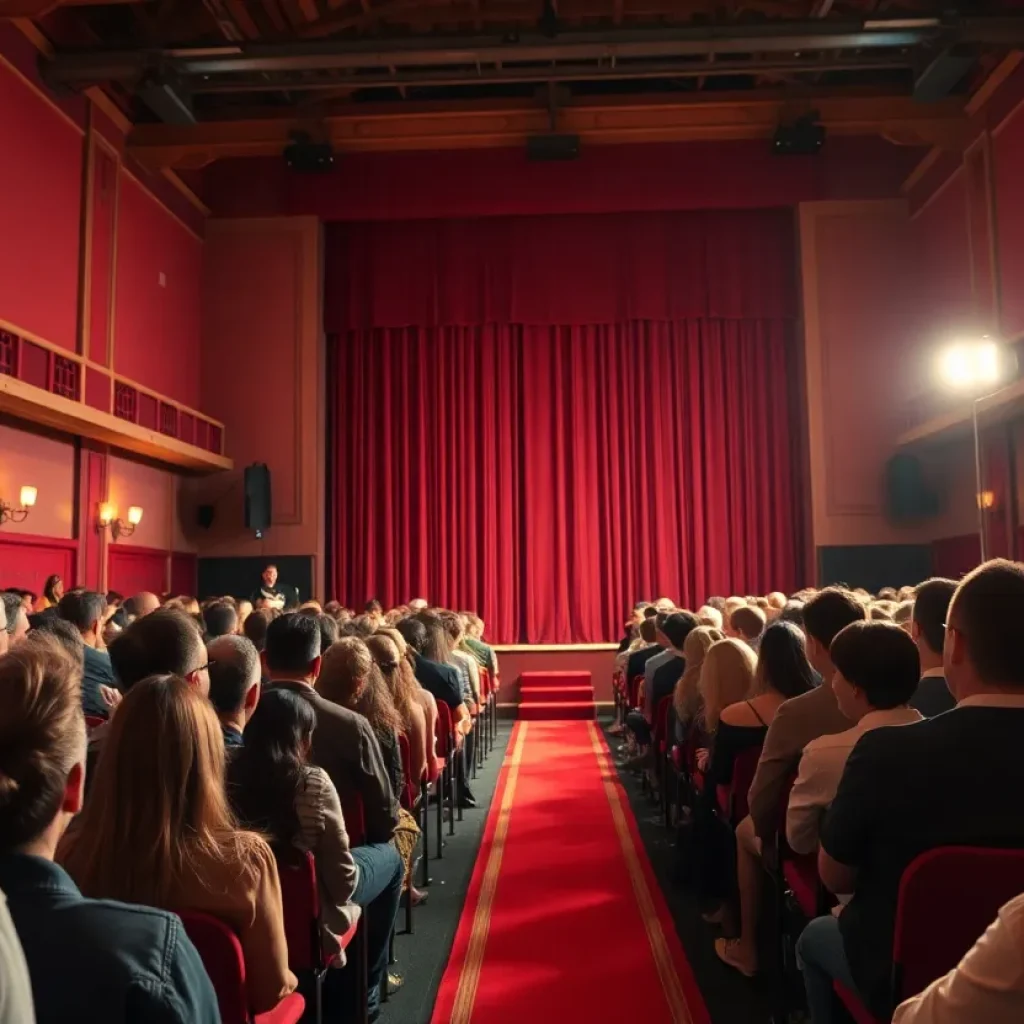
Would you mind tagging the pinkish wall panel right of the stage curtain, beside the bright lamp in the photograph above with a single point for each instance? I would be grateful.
(860, 307)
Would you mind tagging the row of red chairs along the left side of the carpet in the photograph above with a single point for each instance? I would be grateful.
(220, 947)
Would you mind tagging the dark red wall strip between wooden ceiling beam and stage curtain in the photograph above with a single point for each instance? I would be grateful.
(482, 183)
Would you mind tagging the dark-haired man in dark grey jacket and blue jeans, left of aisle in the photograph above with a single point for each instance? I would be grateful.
(345, 746)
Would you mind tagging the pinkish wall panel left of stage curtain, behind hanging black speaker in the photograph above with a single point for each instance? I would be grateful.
(264, 377)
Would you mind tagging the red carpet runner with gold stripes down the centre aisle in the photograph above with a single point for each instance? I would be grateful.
(564, 920)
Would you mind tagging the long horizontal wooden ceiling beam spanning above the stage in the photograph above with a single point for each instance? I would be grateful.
(598, 120)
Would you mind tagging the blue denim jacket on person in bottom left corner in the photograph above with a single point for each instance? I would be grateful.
(98, 961)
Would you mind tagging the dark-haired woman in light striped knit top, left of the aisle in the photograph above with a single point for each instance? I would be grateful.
(275, 791)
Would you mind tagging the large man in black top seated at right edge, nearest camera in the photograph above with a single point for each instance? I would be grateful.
(949, 781)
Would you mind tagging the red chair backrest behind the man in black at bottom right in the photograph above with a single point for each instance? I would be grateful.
(948, 898)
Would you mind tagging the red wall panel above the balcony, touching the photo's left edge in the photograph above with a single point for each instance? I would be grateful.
(40, 206)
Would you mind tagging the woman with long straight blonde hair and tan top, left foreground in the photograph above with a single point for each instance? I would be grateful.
(158, 831)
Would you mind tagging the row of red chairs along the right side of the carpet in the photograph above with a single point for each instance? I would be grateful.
(948, 897)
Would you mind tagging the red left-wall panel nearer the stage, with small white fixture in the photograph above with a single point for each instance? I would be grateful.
(158, 297)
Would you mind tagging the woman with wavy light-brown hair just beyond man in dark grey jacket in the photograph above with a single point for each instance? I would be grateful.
(350, 677)
